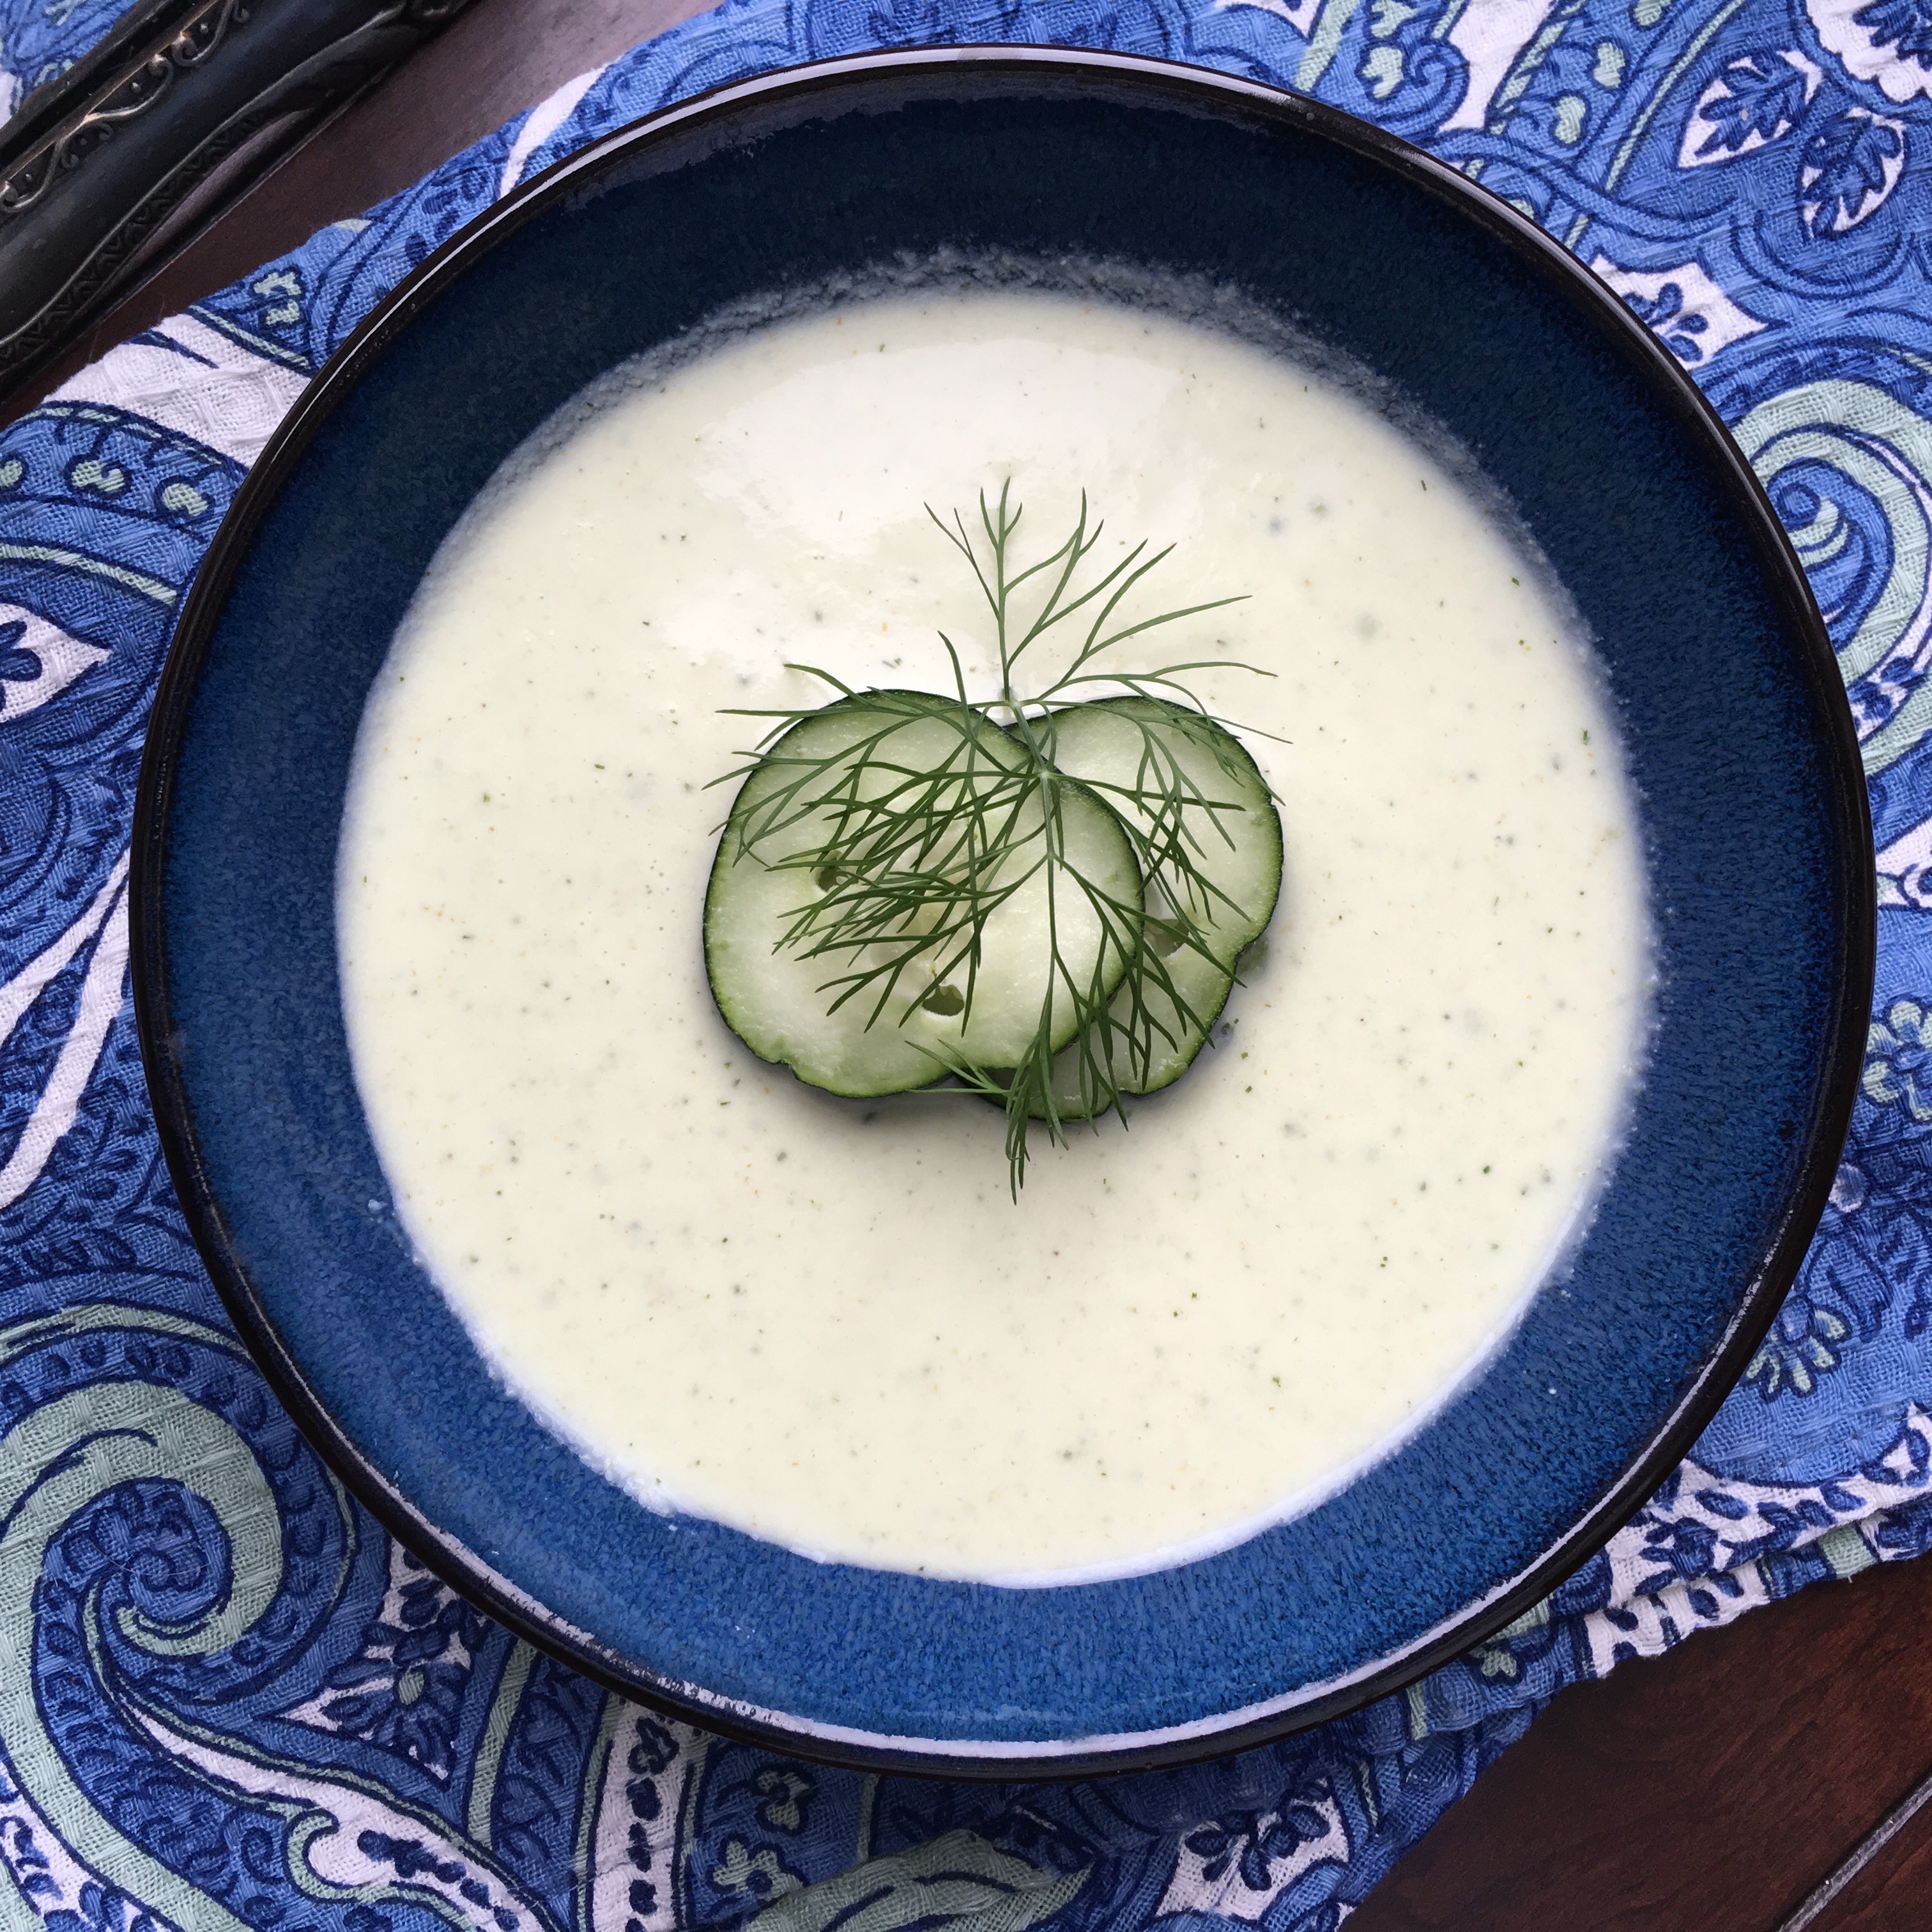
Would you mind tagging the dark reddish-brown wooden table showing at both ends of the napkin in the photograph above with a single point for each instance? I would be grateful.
(1711, 1790)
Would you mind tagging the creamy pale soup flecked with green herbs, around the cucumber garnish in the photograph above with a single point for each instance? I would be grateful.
(826, 1321)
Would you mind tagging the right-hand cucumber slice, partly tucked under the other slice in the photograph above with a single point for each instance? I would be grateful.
(1137, 753)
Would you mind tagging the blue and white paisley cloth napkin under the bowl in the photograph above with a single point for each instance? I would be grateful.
(227, 1699)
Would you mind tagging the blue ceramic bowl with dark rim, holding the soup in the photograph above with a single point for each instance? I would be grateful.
(1736, 731)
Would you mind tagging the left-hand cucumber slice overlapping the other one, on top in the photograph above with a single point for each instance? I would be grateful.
(924, 1008)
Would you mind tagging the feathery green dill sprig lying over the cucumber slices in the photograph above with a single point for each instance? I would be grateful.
(911, 859)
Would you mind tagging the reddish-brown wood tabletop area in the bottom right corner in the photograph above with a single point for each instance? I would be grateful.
(1707, 1790)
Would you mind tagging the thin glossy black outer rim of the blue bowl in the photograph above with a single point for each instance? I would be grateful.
(1164, 82)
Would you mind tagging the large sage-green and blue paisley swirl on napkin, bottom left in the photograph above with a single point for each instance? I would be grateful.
(183, 1550)
